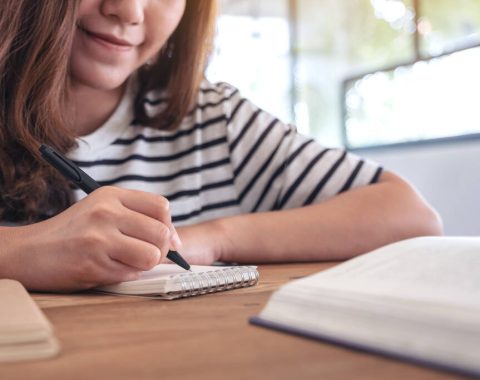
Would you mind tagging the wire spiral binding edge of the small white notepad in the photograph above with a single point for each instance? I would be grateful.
(194, 284)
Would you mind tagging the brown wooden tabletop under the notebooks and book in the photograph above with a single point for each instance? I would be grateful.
(207, 337)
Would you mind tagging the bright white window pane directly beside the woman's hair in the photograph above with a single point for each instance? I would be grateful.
(252, 52)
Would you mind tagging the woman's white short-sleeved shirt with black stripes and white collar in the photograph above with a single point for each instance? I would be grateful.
(228, 157)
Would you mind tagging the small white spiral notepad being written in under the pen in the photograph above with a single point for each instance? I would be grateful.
(168, 281)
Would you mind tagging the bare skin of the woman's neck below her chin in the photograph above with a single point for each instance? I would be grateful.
(89, 108)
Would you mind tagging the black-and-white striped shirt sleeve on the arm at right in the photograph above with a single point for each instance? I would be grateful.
(277, 168)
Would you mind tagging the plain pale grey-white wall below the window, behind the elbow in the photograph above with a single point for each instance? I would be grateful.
(447, 174)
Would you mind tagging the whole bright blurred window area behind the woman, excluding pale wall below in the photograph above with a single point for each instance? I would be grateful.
(292, 57)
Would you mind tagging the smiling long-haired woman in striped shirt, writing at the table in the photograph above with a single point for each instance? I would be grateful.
(117, 86)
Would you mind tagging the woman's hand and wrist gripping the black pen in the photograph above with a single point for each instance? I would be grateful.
(107, 237)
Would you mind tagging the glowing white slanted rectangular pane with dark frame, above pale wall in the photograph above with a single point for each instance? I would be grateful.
(426, 100)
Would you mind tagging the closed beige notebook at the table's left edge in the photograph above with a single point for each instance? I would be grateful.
(25, 332)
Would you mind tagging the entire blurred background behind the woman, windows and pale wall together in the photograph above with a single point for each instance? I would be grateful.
(392, 80)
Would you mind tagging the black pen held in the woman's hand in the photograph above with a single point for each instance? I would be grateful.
(72, 172)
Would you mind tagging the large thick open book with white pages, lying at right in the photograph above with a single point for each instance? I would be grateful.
(418, 299)
